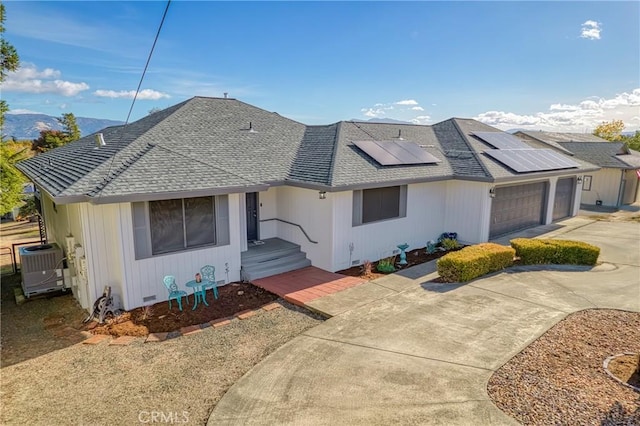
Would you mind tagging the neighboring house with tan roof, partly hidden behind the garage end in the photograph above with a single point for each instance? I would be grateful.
(615, 184)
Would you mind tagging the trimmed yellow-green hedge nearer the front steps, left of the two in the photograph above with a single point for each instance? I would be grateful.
(474, 261)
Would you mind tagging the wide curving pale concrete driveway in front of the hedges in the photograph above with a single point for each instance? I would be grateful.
(424, 355)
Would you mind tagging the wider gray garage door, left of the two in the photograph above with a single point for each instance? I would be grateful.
(517, 207)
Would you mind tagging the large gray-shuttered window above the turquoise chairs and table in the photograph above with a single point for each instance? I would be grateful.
(168, 226)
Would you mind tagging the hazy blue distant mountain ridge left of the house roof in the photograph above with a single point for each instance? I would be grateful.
(28, 126)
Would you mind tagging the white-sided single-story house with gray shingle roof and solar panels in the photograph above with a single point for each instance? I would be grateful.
(217, 181)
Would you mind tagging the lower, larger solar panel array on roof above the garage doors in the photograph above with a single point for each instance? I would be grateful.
(531, 160)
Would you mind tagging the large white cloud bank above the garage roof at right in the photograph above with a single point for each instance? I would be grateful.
(581, 117)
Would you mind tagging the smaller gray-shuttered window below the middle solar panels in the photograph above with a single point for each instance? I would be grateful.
(373, 205)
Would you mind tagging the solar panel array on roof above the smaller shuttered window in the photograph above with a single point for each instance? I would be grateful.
(393, 153)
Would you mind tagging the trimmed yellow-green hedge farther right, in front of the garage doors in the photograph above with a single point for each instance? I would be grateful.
(563, 252)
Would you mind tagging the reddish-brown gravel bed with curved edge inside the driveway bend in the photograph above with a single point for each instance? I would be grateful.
(559, 379)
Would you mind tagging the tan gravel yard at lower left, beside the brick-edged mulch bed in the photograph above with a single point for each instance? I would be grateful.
(181, 379)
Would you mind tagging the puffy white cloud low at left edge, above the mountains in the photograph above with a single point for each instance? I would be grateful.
(28, 79)
